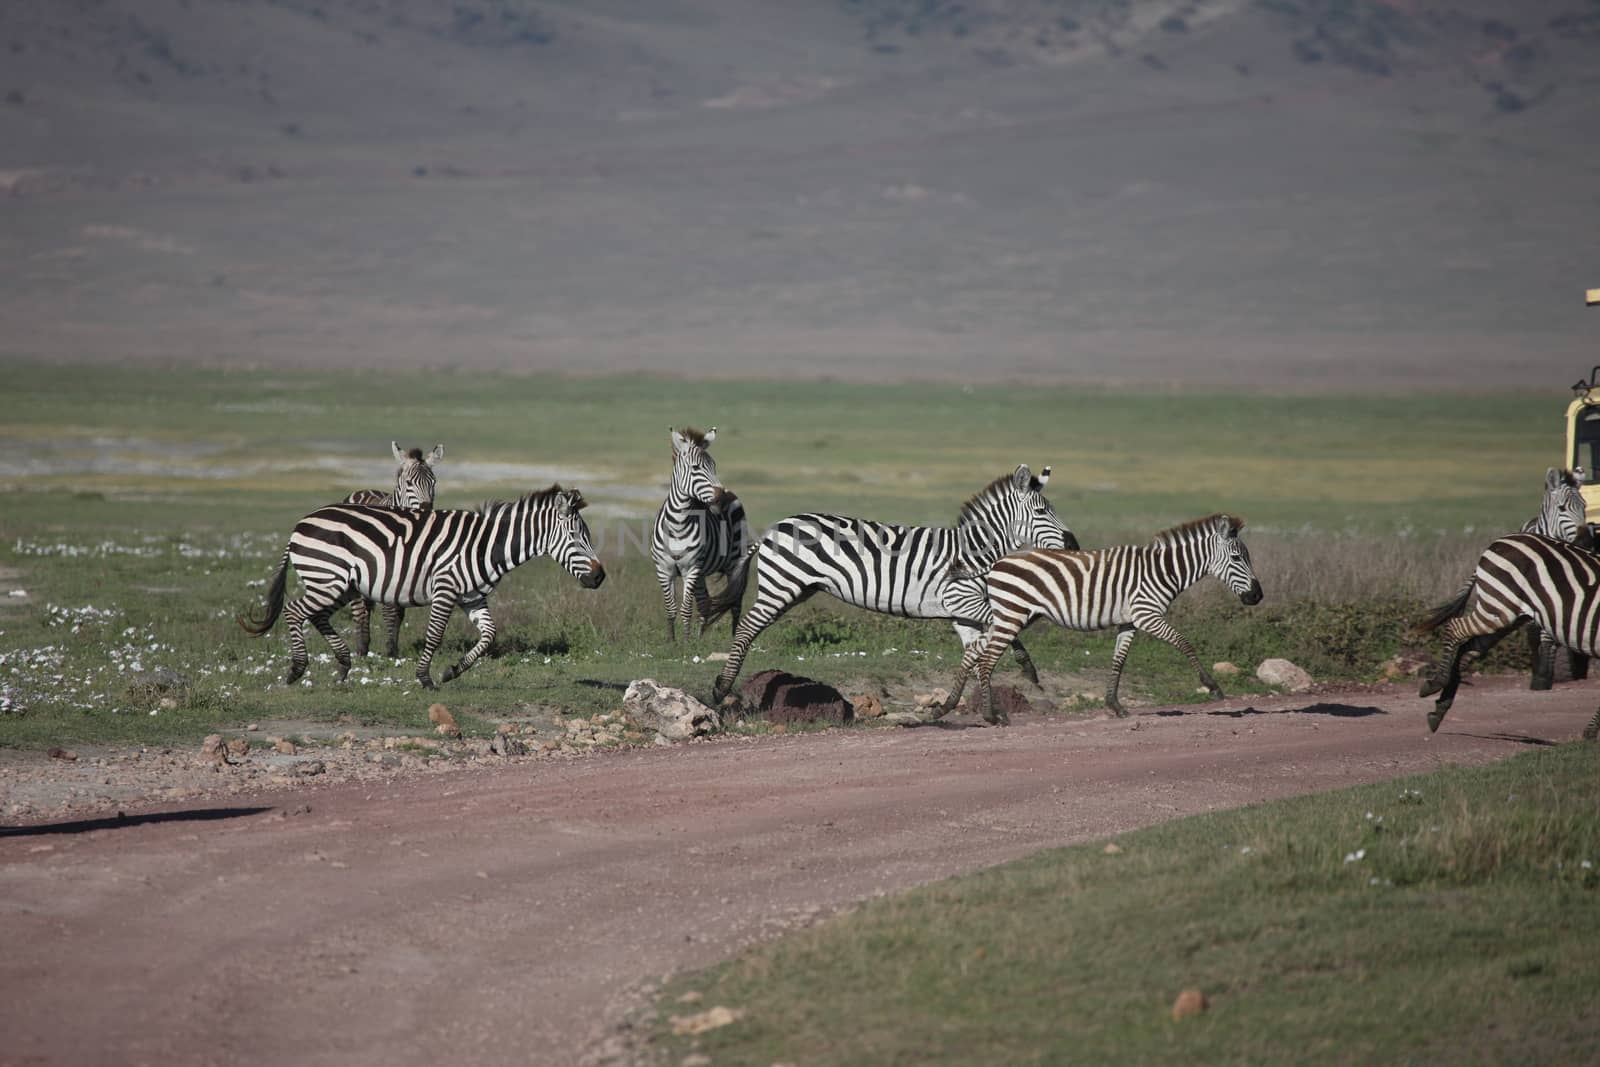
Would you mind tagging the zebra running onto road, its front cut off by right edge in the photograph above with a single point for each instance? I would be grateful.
(1519, 578)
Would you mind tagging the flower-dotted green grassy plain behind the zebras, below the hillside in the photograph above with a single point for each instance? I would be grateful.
(145, 511)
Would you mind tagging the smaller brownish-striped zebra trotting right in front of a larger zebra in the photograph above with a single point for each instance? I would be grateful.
(1129, 588)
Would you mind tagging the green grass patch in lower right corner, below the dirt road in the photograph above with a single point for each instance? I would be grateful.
(1441, 919)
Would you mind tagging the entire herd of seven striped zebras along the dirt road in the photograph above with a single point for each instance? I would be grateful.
(1007, 562)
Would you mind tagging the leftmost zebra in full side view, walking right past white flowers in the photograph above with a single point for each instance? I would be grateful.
(439, 557)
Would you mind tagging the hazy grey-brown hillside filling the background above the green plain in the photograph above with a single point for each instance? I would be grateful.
(1276, 193)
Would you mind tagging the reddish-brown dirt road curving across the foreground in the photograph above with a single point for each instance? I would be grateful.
(497, 917)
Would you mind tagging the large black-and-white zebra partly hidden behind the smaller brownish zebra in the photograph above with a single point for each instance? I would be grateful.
(918, 572)
